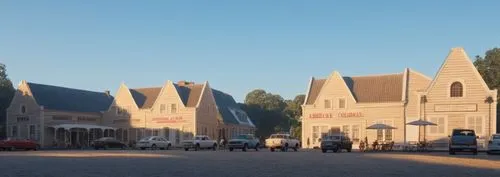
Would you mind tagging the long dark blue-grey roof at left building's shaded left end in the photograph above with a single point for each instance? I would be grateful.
(68, 99)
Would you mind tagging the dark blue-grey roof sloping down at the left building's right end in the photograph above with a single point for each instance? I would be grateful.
(224, 103)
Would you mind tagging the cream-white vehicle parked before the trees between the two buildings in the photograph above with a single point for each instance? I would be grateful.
(282, 141)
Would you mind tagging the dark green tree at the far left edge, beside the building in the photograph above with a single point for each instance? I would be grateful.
(6, 94)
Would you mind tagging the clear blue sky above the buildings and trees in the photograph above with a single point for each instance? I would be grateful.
(236, 45)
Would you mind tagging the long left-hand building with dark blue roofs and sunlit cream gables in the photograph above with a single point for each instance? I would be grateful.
(58, 116)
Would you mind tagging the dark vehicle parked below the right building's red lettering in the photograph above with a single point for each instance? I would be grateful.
(336, 143)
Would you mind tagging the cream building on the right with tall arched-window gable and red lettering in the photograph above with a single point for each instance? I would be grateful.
(455, 98)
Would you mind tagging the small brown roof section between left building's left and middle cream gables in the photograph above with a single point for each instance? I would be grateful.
(145, 97)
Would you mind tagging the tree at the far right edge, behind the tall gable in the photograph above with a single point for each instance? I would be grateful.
(489, 68)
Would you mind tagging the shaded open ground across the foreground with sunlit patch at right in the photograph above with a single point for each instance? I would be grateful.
(241, 164)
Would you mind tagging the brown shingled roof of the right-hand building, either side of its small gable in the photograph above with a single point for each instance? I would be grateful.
(366, 89)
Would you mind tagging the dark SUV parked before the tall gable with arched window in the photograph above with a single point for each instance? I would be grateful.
(463, 140)
